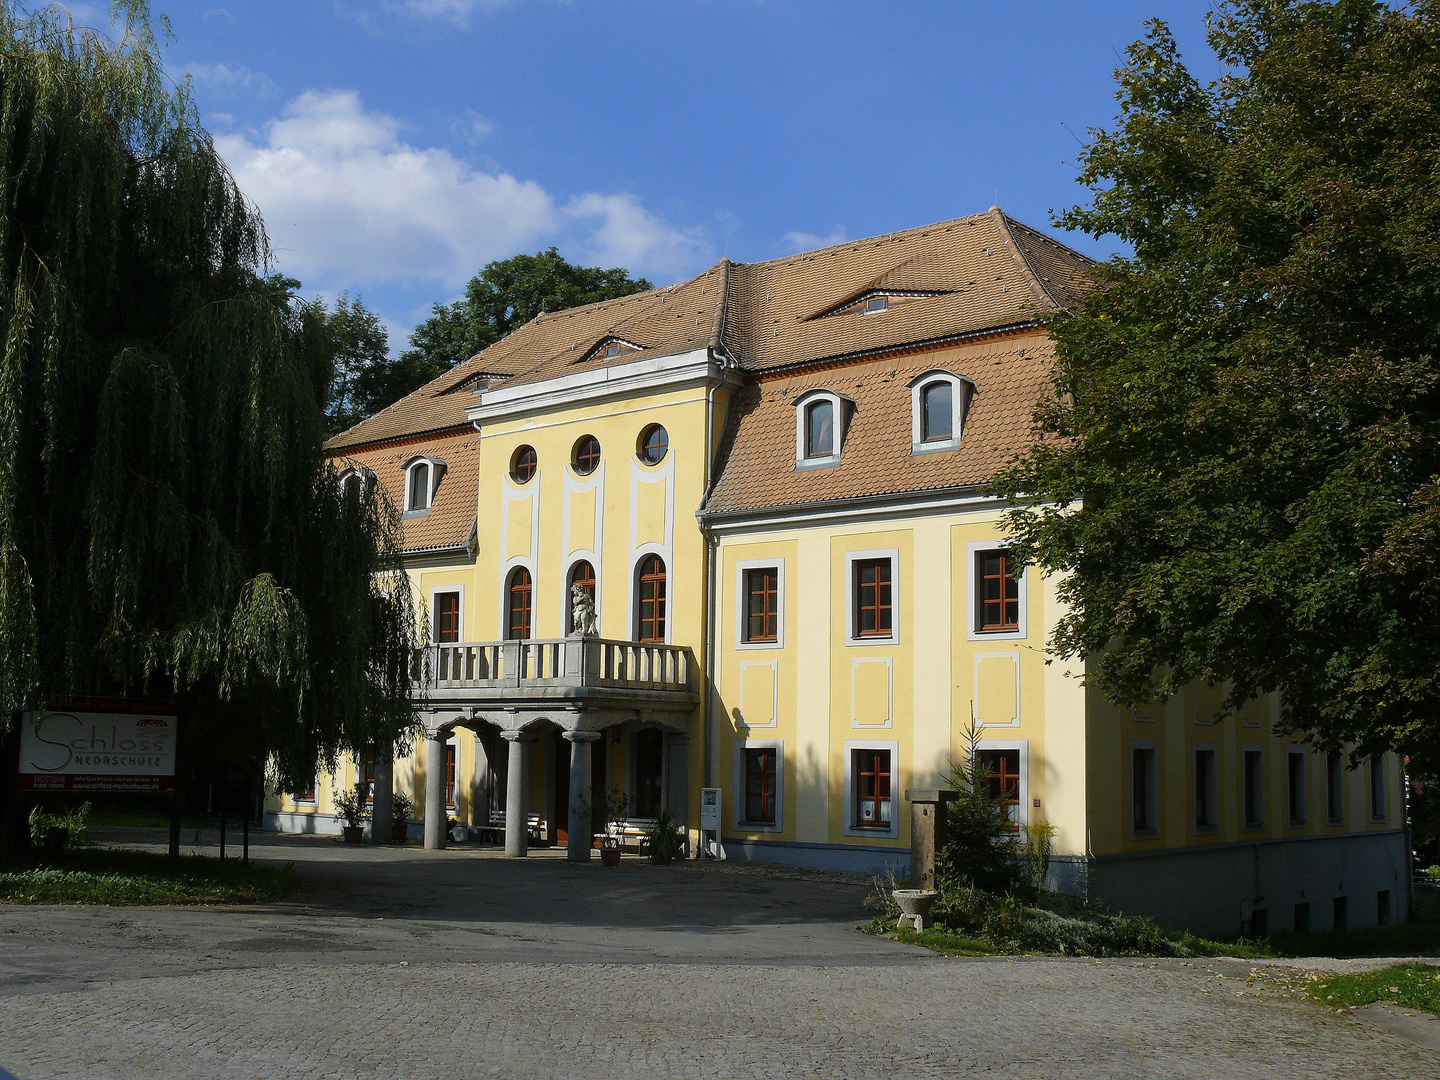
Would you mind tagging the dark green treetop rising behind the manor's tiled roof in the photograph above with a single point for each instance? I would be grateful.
(505, 296)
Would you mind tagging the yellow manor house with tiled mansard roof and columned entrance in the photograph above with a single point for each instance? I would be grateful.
(734, 535)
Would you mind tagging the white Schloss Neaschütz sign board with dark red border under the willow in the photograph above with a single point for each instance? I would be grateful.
(122, 747)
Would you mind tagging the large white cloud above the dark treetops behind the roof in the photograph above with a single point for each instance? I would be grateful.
(349, 204)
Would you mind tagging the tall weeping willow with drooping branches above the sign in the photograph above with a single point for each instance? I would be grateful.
(168, 519)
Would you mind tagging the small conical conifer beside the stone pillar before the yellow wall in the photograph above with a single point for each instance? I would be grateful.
(980, 845)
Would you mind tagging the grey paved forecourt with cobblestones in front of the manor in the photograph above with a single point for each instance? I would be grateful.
(404, 964)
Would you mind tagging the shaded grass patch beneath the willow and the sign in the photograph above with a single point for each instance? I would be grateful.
(93, 876)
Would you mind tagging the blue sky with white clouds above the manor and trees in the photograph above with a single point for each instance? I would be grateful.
(397, 146)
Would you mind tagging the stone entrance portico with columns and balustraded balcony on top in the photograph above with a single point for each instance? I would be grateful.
(561, 696)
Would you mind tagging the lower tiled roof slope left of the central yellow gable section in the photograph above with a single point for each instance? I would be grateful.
(453, 512)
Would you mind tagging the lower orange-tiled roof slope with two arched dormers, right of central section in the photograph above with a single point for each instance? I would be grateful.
(758, 456)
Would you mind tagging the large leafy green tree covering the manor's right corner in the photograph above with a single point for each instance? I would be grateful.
(1239, 480)
